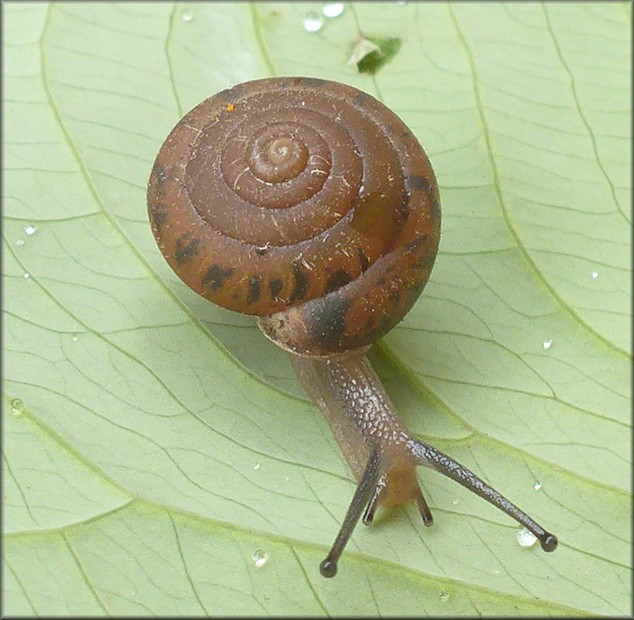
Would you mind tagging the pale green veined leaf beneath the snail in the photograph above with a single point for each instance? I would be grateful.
(159, 457)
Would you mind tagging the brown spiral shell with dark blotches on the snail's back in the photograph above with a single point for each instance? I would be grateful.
(304, 201)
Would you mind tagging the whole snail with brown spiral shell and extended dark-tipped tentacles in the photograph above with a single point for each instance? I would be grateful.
(312, 206)
